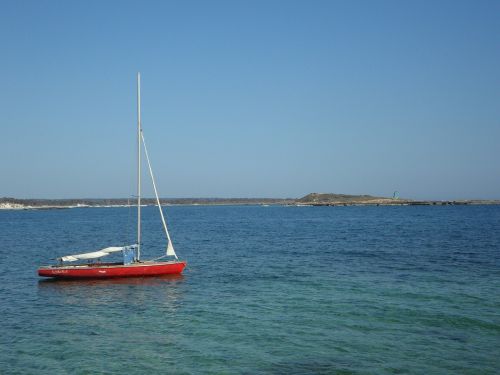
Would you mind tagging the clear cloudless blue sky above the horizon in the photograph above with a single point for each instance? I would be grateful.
(251, 98)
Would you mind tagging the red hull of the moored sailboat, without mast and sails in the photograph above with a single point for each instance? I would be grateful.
(101, 271)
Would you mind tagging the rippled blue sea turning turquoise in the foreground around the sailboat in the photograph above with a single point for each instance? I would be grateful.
(272, 290)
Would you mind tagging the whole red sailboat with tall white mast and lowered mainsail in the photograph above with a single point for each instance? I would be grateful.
(132, 264)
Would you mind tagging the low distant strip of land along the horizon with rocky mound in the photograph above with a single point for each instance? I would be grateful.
(313, 199)
